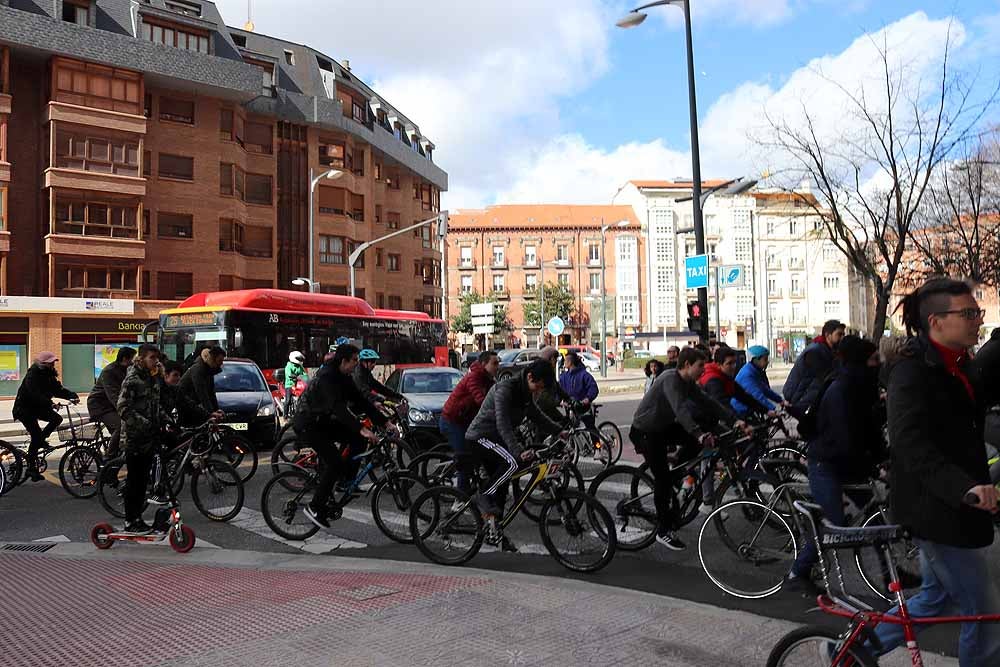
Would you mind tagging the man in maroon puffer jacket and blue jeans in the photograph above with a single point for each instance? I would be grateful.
(462, 407)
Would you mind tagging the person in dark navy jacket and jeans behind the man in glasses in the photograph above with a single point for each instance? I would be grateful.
(847, 447)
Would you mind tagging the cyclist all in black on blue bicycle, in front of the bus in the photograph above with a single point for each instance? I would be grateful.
(324, 414)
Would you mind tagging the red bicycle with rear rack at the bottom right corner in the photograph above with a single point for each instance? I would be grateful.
(815, 645)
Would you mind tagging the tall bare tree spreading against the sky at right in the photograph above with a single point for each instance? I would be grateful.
(872, 171)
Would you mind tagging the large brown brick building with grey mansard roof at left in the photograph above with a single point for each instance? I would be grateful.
(148, 151)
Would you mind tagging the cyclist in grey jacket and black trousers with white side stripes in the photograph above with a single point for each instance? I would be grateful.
(493, 434)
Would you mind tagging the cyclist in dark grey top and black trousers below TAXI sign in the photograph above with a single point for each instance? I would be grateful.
(670, 416)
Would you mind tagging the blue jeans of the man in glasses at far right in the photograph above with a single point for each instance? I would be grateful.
(955, 581)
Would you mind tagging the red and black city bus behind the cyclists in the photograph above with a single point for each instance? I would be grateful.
(266, 325)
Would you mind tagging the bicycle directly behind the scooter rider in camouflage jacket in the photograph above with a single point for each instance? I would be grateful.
(216, 487)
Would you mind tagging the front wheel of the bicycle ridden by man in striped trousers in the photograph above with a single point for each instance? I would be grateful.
(578, 531)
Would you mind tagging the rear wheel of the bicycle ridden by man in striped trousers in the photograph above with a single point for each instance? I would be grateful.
(446, 526)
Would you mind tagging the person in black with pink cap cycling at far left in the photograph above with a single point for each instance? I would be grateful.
(34, 404)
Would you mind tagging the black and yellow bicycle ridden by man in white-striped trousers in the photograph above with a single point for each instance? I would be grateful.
(448, 528)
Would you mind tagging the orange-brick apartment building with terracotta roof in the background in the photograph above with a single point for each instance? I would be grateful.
(507, 251)
